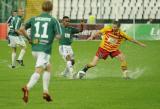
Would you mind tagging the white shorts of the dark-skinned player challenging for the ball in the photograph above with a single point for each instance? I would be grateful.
(65, 50)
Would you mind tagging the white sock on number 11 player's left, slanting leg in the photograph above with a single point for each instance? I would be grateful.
(33, 80)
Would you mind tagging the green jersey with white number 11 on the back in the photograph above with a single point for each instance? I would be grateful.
(43, 30)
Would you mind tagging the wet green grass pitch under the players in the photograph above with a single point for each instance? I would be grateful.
(102, 89)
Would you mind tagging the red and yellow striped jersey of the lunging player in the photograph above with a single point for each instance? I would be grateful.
(110, 40)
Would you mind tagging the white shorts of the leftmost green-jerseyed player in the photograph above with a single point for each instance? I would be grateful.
(16, 40)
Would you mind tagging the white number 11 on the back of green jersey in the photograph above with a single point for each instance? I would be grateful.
(45, 27)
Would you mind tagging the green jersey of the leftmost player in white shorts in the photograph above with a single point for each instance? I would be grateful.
(15, 25)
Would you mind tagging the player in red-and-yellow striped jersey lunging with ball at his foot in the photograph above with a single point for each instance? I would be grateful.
(109, 46)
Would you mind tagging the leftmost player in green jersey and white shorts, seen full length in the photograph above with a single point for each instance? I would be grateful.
(16, 38)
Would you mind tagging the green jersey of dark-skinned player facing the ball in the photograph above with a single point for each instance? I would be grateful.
(67, 35)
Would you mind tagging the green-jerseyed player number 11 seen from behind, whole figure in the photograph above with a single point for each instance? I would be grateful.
(44, 28)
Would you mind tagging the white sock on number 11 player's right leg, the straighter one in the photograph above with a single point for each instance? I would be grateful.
(46, 79)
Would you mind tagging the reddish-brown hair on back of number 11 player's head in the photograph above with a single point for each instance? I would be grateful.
(47, 6)
